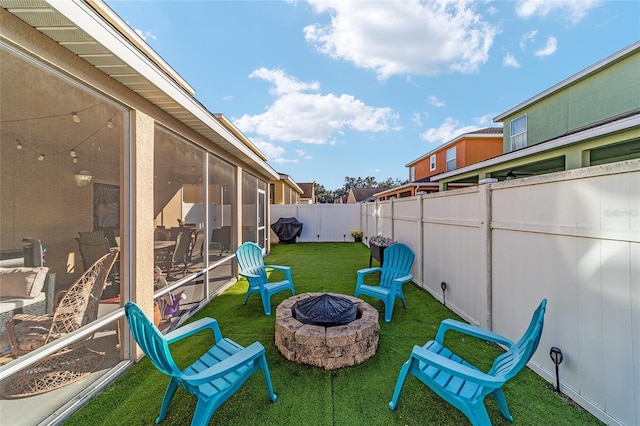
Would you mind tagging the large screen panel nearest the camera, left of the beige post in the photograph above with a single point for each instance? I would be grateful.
(60, 188)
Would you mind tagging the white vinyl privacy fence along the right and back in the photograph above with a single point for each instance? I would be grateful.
(570, 237)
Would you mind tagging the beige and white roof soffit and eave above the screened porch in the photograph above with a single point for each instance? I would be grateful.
(41, 15)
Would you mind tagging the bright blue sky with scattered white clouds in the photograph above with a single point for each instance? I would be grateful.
(336, 88)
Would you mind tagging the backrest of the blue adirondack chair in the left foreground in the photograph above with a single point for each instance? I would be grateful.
(150, 340)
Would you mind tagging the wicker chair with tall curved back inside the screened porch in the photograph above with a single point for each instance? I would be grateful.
(77, 307)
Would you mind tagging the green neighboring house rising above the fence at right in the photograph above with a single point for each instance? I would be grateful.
(591, 118)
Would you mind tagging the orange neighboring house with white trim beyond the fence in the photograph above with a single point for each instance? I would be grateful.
(466, 149)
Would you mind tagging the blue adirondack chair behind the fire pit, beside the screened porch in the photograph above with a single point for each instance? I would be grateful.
(252, 267)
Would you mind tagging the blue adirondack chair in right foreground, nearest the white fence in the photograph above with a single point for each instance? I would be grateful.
(460, 383)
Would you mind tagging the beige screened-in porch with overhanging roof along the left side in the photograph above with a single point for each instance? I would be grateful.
(106, 154)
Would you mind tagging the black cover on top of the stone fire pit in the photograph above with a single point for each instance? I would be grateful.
(326, 310)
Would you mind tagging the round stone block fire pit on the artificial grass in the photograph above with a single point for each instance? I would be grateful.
(327, 347)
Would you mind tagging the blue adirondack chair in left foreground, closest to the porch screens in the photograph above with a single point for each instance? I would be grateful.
(213, 378)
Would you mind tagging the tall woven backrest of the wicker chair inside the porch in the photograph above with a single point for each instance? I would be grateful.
(79, 305)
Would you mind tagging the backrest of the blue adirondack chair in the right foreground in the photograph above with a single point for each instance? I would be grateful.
(511, 362)
